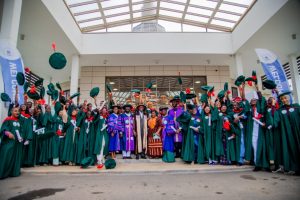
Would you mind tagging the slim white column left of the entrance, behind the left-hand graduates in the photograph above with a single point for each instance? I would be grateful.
(74, 76)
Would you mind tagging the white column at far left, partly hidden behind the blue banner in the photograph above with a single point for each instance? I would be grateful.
(9, 30)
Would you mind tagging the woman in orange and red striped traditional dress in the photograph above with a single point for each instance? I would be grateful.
(154, 135)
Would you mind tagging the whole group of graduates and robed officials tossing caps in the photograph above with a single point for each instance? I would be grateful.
(214, 130)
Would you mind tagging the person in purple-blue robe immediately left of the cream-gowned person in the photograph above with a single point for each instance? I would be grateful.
(126, 131)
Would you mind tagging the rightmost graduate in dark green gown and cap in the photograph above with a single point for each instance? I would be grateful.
(289, 126)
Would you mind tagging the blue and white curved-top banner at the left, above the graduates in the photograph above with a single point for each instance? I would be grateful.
(11, 63)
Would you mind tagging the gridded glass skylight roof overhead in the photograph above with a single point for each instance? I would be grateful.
(94, 16)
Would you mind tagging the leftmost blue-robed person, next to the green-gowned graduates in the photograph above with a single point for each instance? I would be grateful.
(112, 129)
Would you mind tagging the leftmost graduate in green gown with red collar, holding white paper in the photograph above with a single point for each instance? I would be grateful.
(11, 146)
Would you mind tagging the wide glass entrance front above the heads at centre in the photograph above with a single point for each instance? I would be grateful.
(163, 88)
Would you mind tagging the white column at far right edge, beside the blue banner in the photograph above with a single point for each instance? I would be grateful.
(295, 77)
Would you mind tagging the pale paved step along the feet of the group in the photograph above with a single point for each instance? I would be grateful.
(140, 166)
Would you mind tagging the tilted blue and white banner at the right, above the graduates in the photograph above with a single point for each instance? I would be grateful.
(273, 69)
